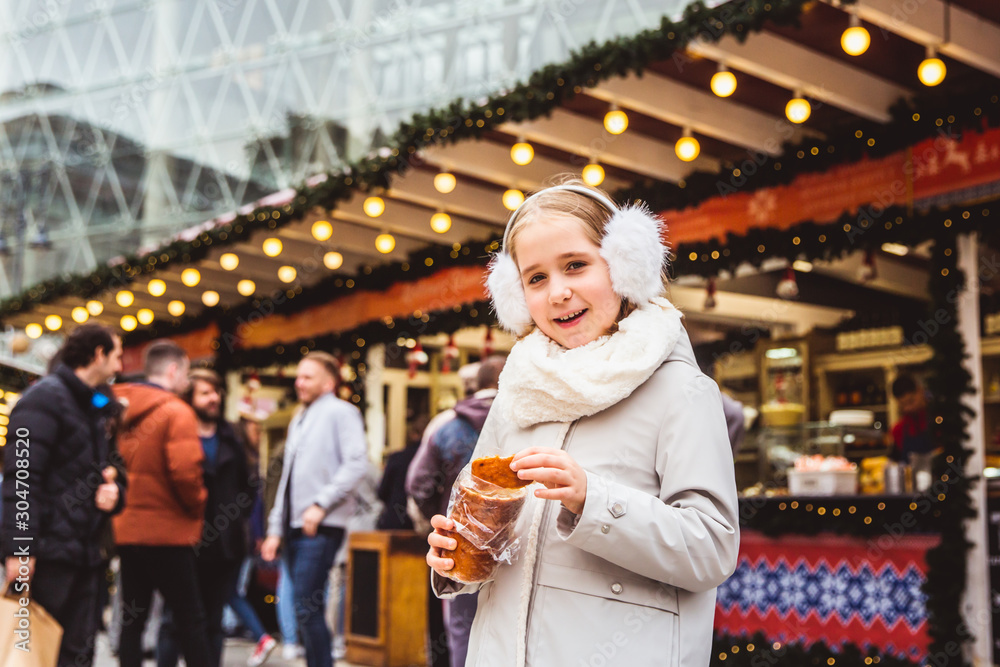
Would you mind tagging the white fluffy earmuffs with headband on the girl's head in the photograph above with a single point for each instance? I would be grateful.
(631, 246)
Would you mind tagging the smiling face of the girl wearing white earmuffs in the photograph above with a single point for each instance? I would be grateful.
(566, 281)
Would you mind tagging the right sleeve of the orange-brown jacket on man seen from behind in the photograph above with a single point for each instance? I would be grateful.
(184, 460)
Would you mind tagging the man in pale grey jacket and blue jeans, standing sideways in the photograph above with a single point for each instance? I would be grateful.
(325, 459)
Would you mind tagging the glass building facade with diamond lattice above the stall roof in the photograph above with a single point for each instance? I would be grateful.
(123, 122)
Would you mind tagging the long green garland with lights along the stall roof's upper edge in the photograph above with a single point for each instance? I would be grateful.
(545, 90)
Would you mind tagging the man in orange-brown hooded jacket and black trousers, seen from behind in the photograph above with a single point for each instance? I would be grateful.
(157, 532)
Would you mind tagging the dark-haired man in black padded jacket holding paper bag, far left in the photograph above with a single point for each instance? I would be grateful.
(61, 483)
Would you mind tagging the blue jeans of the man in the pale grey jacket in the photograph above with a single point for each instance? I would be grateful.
(310, 560)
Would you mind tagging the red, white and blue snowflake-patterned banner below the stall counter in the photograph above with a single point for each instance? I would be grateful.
(830, 588)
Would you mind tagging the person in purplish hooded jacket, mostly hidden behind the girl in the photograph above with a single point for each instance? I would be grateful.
(432, 473)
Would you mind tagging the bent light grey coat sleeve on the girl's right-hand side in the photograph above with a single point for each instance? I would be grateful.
(687, 537)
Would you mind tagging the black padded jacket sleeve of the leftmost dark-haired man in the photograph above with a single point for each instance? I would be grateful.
(32, 434)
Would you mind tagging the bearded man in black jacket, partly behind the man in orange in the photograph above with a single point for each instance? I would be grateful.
(230, 498)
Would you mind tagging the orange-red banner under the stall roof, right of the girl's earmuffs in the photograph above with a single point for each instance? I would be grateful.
(940, 171)
